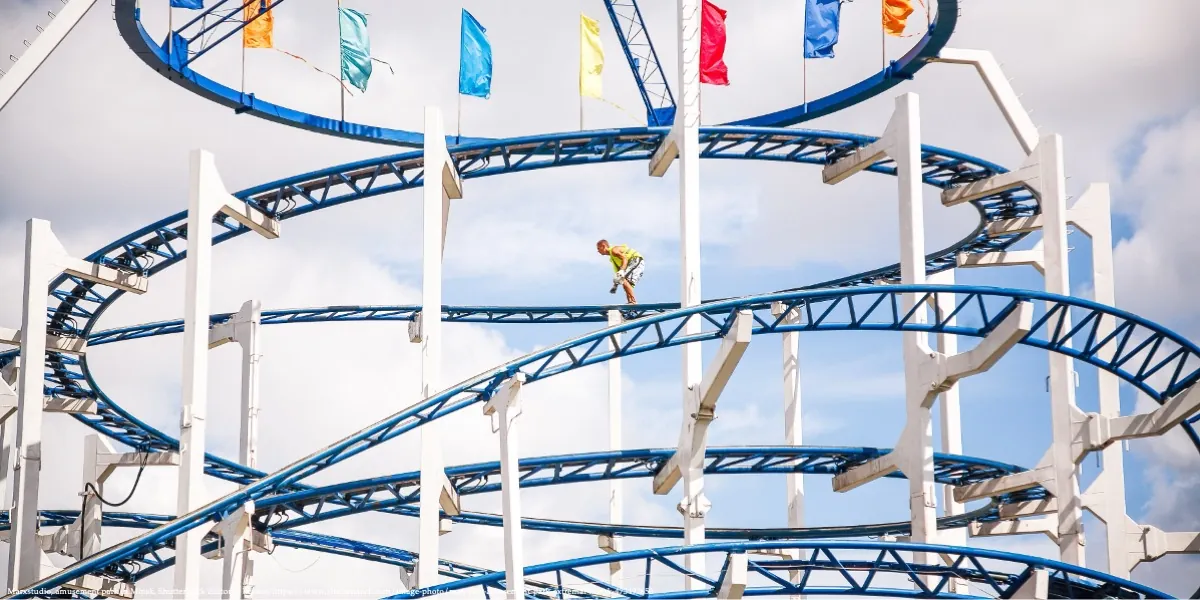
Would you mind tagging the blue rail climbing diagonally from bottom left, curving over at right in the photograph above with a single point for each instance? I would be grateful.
(980, 310)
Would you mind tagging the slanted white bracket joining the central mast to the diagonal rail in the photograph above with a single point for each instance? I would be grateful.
(694, 437)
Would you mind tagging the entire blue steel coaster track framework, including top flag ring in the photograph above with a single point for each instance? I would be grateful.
(1150, 358)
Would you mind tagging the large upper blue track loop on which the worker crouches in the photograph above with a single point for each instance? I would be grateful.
(163, 244)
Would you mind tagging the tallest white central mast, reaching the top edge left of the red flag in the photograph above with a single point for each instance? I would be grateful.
(687, 137)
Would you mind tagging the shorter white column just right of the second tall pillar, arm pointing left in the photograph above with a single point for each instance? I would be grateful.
(238, 562)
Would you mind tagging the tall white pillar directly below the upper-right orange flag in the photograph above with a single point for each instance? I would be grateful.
(919, 439)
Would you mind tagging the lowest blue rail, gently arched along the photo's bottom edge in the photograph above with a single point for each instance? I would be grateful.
(827, 568)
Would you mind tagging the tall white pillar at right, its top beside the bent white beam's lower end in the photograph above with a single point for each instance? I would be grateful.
(1052, 177)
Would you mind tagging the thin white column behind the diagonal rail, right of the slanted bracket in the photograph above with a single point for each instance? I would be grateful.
(794, 430)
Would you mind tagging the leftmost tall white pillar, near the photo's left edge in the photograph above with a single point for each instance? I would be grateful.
(25, 555)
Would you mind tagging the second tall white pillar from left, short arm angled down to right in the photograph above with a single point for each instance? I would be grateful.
(207, 197)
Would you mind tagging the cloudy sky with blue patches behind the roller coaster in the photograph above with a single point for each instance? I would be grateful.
(98, 145)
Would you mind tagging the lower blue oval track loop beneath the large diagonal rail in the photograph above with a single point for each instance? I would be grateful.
(281, 515)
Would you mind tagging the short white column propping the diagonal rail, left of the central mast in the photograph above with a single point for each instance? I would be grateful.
(505, 409)
